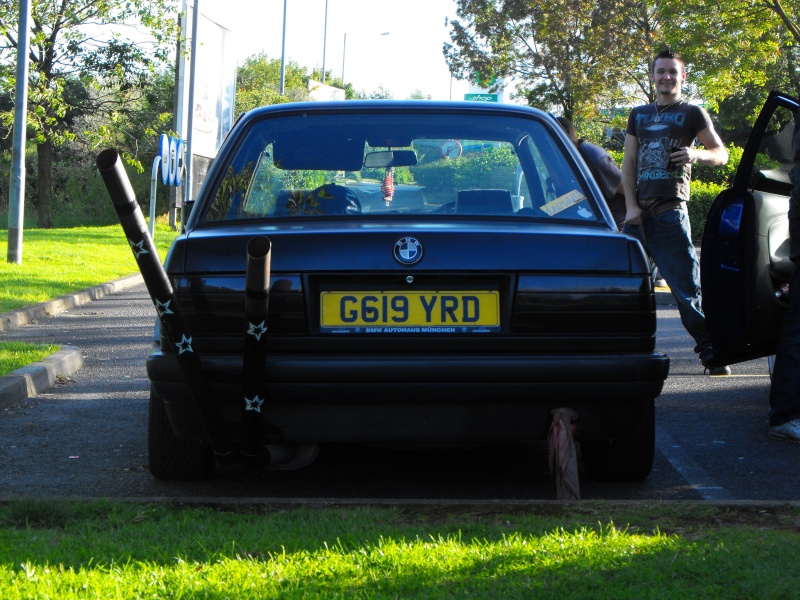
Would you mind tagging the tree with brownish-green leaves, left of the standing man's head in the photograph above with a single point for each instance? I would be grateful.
(565, 55)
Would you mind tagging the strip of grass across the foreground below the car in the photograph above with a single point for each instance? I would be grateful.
(58, 549)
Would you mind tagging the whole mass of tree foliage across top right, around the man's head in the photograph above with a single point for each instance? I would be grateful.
(572, 56)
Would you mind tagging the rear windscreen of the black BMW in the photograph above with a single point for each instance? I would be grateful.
(357, 166)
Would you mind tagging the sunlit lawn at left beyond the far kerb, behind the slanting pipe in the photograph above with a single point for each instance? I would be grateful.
(56, 262)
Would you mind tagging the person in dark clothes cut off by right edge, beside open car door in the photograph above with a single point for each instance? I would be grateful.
(784, 395)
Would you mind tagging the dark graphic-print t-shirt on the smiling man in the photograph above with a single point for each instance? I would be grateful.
(658, 134)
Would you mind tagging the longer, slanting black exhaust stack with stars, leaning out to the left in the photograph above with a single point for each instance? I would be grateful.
(165, 301)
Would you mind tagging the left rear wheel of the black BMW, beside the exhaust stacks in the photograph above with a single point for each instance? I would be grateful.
(170, 457)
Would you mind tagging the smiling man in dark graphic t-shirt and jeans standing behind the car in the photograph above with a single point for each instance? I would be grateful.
(656, 173)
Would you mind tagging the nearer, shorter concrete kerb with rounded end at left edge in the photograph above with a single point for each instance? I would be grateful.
(37, 377)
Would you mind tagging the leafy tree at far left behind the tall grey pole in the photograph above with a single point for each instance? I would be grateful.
(78, 51)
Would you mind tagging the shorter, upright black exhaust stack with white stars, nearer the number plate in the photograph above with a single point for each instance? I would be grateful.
(256, 307)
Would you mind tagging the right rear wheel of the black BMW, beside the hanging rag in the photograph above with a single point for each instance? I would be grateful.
(625, 459)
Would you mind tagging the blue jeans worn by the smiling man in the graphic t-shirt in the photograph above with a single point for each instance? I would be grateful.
(667, 236)
